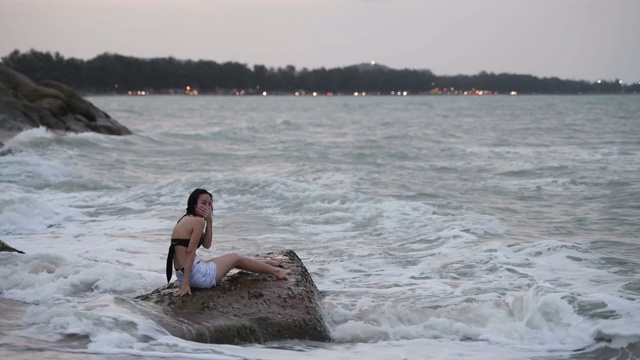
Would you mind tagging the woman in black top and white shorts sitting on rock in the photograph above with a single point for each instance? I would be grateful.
(194, 230)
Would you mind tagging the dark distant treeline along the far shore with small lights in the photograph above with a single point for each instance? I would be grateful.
(113, 73)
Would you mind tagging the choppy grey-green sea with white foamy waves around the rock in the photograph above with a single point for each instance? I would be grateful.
(435, 227)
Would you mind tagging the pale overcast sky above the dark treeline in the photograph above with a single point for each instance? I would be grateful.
(570, 39)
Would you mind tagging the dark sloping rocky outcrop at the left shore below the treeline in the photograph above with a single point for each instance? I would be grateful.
(25, 104)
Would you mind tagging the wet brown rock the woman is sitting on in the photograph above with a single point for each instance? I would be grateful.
(244, 308)
